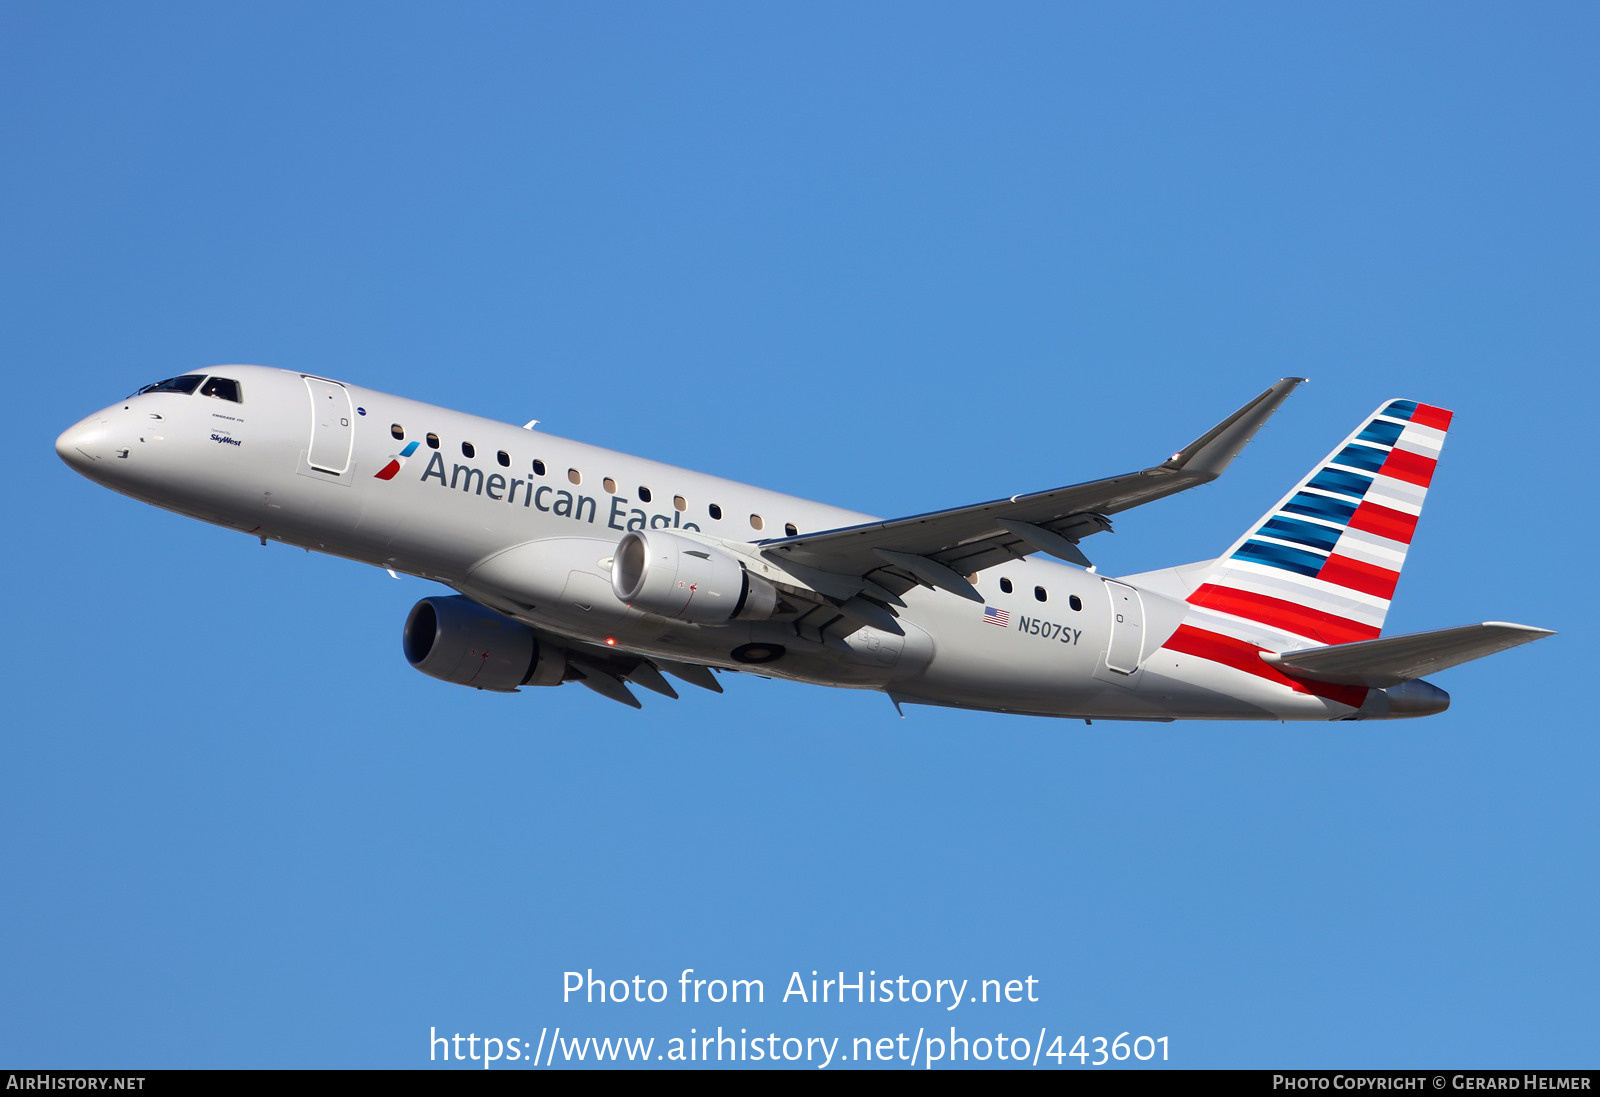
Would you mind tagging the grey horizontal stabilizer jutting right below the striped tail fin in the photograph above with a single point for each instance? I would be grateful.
(1396, 660)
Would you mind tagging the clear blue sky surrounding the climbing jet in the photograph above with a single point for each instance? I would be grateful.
(894, 257)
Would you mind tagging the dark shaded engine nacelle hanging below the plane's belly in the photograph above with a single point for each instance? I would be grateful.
(462, 642)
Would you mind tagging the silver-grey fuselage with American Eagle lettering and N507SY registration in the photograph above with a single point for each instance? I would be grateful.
(529, 524)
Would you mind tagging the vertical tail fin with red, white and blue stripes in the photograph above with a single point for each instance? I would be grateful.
(1321, 568)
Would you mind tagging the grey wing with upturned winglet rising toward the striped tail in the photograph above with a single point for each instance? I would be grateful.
(945, 546)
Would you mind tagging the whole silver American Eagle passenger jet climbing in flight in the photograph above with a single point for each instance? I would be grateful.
(578, 564)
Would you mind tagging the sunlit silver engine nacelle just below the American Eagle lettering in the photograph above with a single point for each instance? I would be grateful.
(671, 576)
